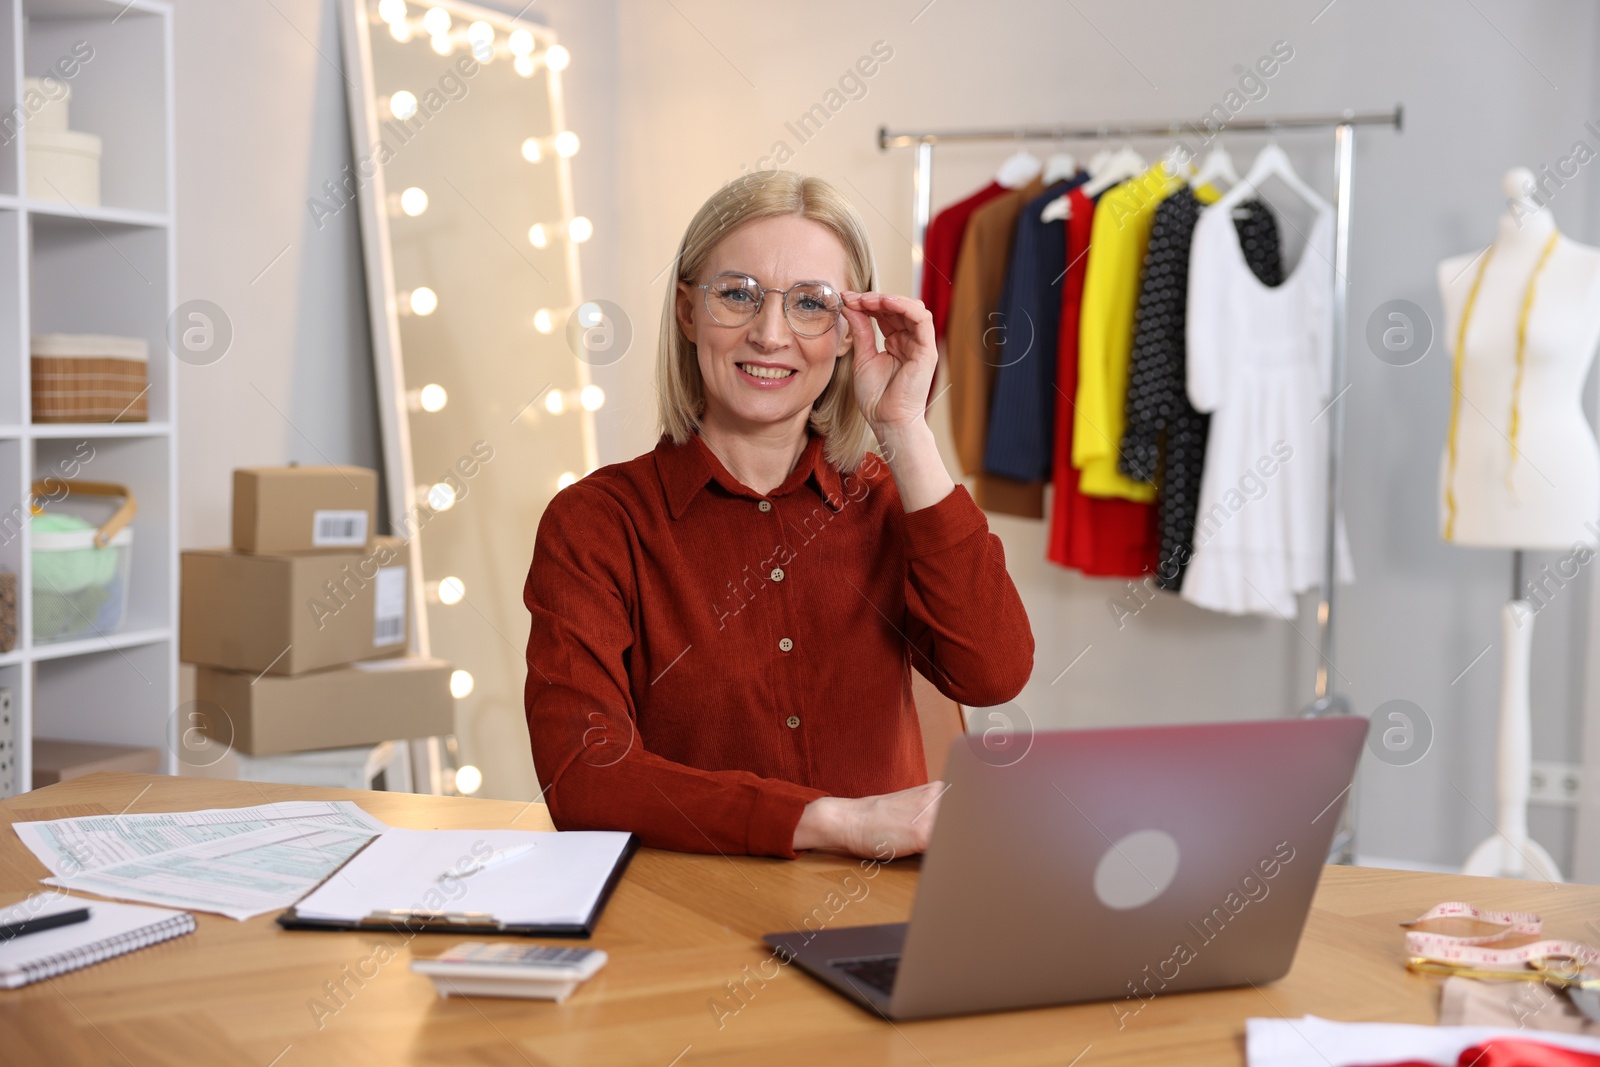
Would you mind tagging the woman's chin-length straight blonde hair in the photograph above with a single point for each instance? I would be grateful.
(681, 391)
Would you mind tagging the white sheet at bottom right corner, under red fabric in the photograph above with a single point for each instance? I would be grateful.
(1313, 1042)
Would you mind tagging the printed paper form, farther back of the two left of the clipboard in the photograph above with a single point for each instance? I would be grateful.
(71, 847)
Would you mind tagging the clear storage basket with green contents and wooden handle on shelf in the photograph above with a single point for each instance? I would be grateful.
(81, 569)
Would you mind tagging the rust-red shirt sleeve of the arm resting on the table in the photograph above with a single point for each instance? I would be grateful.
(583, 724)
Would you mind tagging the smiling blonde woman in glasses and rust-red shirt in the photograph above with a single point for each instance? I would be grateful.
(724, 629)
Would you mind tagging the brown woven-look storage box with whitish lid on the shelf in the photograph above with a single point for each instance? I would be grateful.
(90, 378)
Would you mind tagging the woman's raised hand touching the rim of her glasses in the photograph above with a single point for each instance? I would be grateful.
(892, 383)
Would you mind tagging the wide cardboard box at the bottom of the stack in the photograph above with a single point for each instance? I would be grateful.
(386, 700)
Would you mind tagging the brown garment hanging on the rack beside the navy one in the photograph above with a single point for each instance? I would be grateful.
(972, 354)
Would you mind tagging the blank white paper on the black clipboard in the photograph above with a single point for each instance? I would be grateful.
(558, 884)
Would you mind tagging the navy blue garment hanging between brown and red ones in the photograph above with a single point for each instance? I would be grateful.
(1023, 404)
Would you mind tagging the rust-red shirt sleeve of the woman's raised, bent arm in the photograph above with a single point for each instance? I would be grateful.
(964, 617)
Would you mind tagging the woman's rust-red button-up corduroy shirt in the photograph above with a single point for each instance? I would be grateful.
(658, 693)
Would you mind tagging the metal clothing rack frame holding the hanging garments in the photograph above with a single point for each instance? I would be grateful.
(1343, 124)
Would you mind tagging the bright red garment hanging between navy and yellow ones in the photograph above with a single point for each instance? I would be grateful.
(1100, 537)
